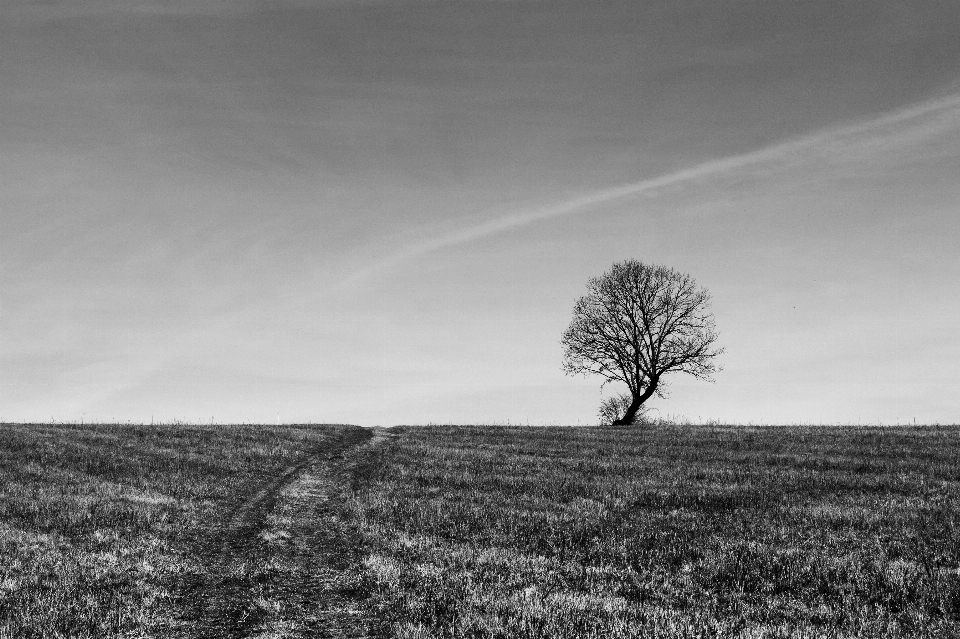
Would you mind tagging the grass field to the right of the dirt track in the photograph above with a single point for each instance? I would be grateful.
(666, 532)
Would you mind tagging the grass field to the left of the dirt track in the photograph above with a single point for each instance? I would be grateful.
(112, 530)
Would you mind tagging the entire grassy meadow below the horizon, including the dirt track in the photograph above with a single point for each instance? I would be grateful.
(484, 531)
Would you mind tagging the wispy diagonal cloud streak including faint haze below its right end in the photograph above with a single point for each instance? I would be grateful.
(923, 121)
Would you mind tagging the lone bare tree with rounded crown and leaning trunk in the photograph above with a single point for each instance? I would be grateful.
(637, 323)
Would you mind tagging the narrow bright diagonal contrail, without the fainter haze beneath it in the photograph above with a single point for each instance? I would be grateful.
(710, 168)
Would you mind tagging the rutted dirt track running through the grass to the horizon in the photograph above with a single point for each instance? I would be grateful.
(286, 562)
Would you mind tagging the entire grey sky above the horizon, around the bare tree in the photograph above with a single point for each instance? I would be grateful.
(382, 212)
